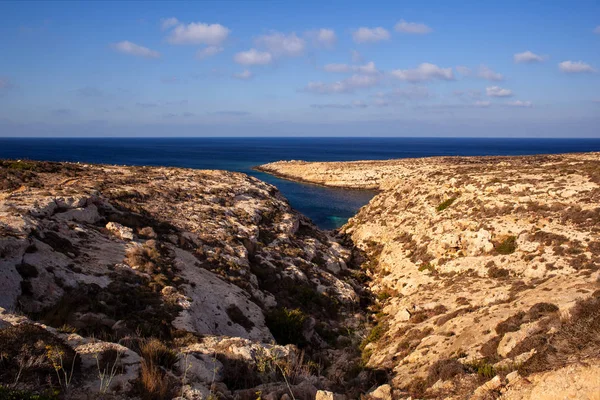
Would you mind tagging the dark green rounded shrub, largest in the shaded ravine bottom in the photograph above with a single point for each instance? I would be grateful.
(287, 325)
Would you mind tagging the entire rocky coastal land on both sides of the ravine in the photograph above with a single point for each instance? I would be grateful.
(465, 277)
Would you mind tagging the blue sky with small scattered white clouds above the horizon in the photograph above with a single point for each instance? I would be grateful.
(259, 68)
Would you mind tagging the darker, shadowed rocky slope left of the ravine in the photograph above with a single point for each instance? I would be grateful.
(152, 283)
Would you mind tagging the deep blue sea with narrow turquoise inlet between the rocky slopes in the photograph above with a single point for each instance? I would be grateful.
(329, 208)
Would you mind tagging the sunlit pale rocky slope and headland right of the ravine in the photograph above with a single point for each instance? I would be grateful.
(485, 270)
